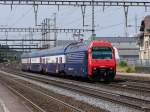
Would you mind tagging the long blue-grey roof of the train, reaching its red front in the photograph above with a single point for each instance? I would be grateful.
(72, 47)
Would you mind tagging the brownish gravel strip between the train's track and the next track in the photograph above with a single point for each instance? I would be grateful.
(105, 87)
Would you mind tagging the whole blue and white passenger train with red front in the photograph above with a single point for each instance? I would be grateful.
(94, 60)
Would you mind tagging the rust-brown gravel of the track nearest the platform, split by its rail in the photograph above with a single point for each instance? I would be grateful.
(49, 105)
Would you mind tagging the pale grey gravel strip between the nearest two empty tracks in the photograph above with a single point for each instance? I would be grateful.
(79, 97)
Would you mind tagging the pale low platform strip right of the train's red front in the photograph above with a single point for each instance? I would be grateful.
(134, 76)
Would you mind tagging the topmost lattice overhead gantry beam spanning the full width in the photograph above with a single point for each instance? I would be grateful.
(75, 3)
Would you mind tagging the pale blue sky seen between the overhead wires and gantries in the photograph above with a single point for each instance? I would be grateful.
(108, 23)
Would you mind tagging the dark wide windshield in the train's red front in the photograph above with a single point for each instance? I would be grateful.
(101, 52)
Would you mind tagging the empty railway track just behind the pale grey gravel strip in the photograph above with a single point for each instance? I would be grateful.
(136, 103)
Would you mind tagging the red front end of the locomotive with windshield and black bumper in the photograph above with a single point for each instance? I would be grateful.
(101, 61)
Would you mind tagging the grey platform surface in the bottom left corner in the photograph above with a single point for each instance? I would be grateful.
(9, 102)
